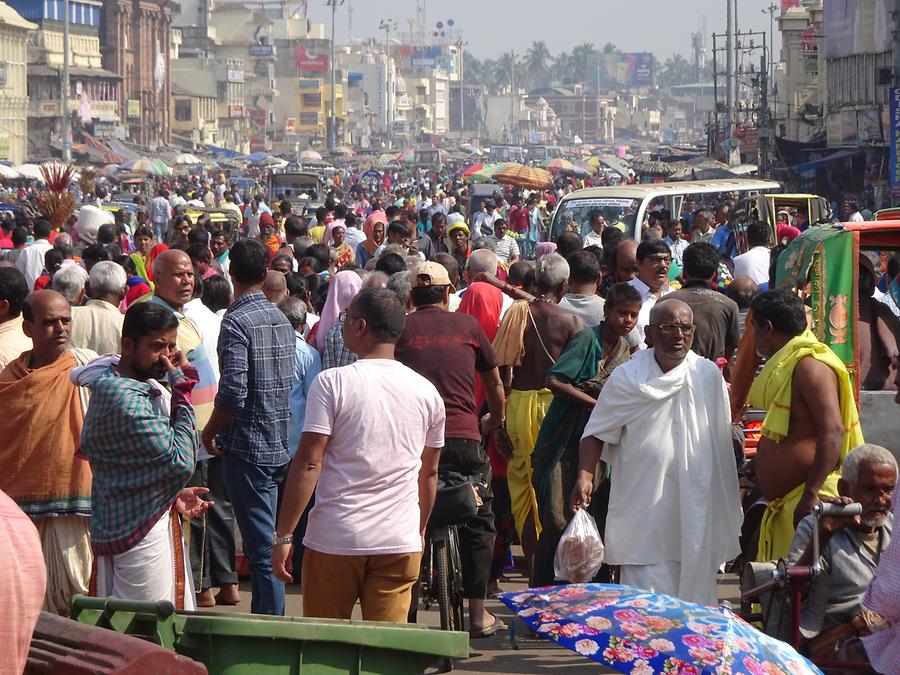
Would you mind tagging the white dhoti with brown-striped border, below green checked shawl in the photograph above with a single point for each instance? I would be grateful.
(157, 568)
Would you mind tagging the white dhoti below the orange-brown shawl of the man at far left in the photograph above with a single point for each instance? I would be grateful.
(66, 543)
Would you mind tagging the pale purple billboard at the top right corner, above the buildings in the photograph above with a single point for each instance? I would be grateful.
(857, 27)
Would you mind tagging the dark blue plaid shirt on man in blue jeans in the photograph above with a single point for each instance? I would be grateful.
(256, 363)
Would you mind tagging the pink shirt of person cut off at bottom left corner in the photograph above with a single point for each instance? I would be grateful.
(23, 582)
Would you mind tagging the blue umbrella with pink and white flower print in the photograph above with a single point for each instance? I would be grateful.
(644, 633)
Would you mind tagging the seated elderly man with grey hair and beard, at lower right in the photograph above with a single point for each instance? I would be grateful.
(850, 549)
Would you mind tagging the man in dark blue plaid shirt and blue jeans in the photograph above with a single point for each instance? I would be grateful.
(249, 425)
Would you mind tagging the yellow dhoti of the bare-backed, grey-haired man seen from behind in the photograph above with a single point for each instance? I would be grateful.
(525, 411)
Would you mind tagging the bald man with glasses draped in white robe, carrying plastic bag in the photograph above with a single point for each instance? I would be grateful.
(662, 423)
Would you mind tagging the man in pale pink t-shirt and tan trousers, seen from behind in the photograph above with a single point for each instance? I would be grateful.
(370, 449)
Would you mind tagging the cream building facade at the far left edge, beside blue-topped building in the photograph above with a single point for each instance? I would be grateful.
(14, 31)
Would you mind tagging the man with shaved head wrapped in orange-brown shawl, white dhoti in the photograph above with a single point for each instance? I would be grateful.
(44, 412)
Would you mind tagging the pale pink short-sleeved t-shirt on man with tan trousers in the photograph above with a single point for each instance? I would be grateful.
(380, 416)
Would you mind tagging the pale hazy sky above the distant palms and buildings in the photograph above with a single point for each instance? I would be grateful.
(492, 27)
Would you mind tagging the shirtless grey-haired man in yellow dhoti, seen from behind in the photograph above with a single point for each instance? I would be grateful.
(546, 333)
